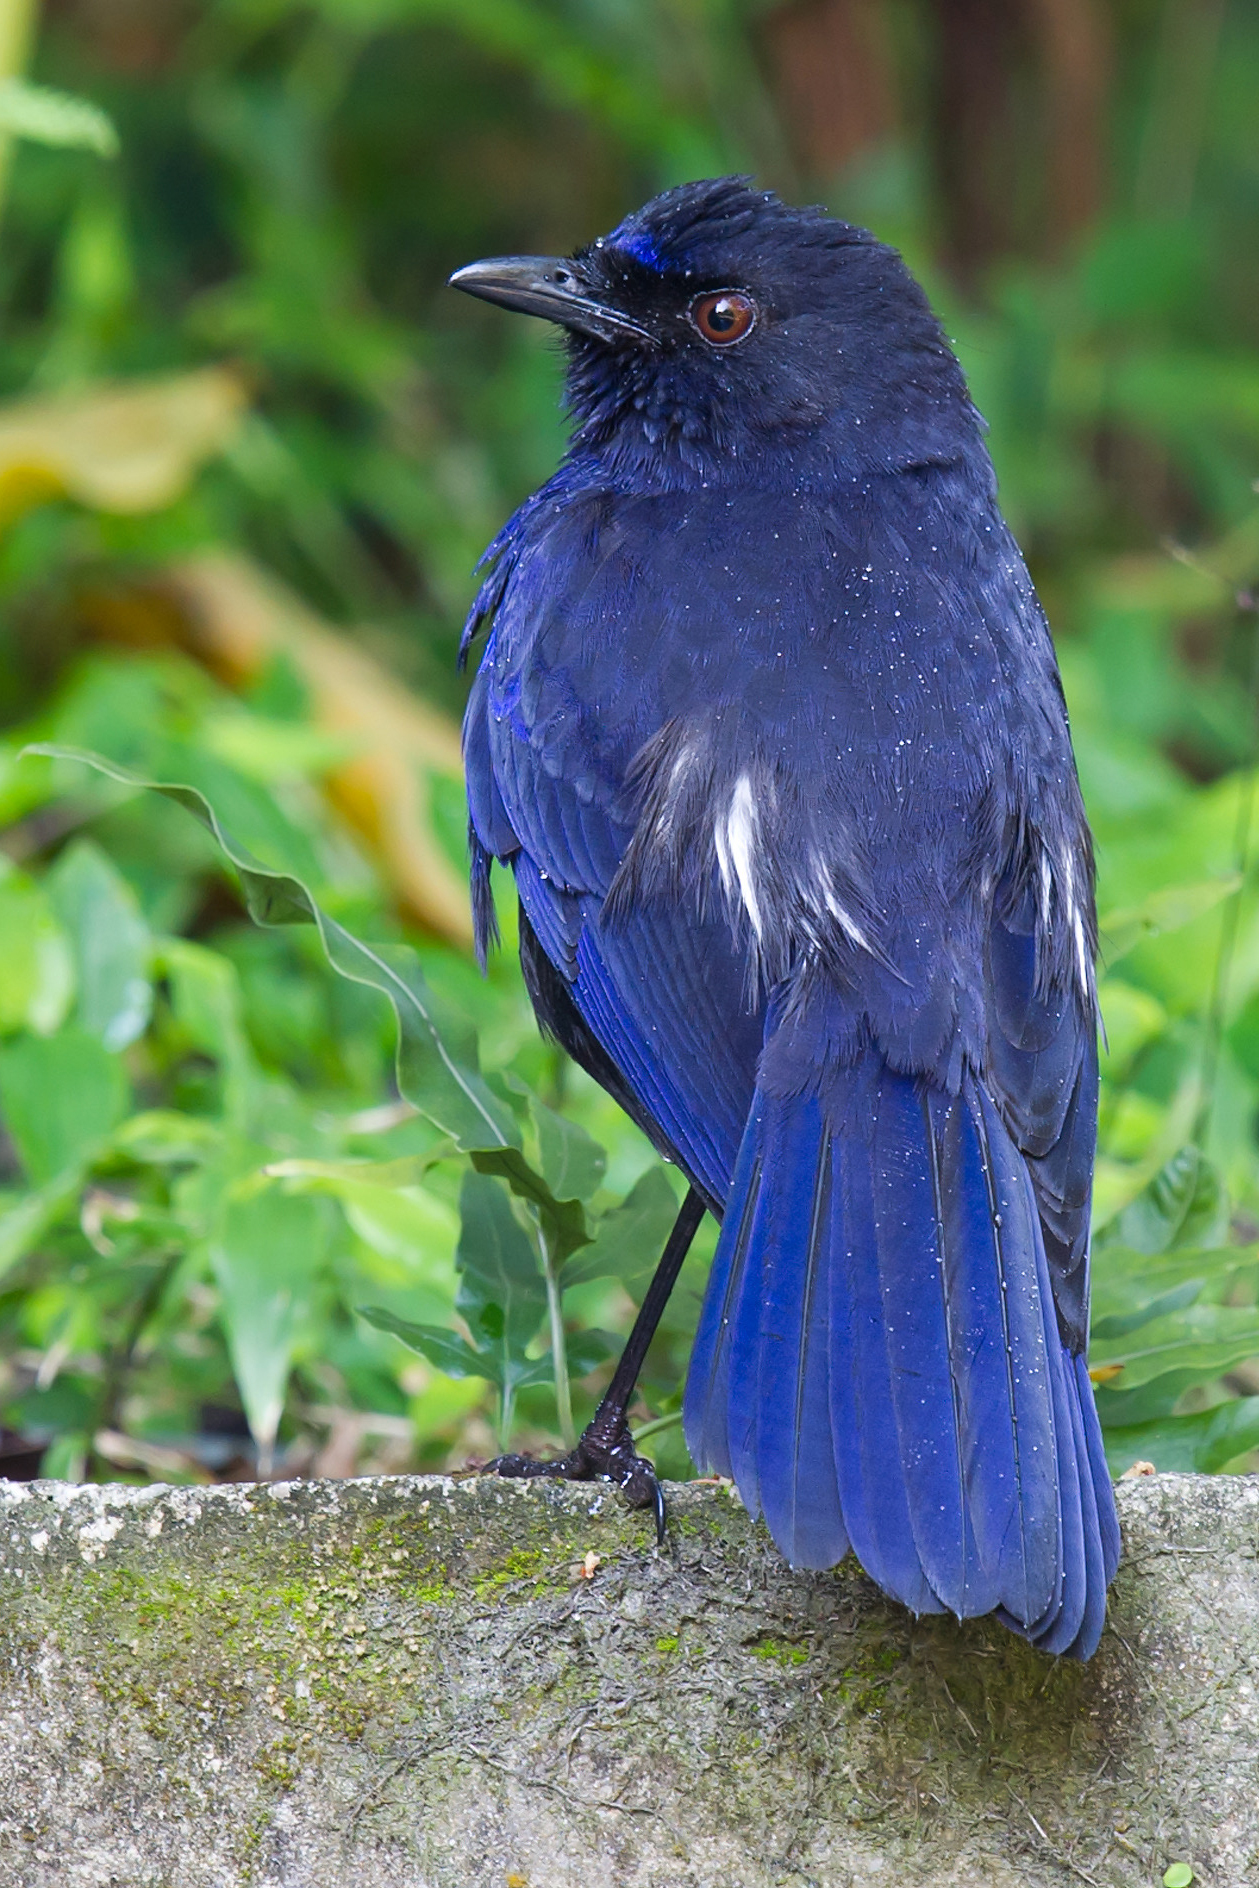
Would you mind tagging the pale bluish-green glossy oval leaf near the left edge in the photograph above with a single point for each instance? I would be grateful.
(110, 943)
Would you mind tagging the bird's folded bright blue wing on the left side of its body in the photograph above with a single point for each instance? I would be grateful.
(662, 988)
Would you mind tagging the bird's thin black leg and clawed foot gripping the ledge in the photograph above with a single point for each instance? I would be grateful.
(605, 1451)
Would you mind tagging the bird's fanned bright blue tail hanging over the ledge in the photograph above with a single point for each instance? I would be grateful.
(879, 1360)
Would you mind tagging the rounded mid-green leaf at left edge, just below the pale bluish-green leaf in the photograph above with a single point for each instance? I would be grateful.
(61, 1098)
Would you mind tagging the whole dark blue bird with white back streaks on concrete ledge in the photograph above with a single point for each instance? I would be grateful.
(769, 732)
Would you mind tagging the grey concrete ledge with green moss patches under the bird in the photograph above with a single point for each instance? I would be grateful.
(431, 1683)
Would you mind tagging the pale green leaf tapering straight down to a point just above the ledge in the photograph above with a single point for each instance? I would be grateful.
(267, 1255)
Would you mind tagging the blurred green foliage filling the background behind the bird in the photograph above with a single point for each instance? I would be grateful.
(210, 1162)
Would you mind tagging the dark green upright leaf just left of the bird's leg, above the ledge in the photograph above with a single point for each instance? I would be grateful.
(501, 1287)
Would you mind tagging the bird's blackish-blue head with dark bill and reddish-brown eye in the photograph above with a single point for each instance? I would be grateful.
(726, 337)
